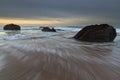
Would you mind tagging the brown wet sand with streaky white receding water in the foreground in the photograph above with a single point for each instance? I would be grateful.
(50, 59)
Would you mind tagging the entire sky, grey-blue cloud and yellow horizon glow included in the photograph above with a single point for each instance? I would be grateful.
(59, 12)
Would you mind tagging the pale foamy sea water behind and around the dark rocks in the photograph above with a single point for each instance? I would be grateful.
(32, 32)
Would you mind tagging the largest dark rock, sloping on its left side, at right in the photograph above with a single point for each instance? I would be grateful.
(97, 33)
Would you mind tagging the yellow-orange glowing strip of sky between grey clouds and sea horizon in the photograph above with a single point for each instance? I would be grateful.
(55, 22)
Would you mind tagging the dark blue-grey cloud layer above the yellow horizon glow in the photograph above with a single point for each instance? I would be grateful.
(60, 9)
